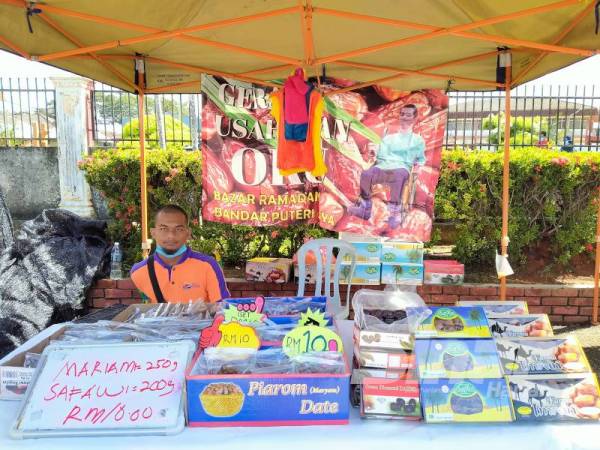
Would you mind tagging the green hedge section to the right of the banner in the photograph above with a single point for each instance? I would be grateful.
(552, 204)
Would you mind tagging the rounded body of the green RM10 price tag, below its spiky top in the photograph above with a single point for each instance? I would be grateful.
(311, 339)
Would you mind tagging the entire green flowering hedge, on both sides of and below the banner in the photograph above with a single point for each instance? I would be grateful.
(550, 205)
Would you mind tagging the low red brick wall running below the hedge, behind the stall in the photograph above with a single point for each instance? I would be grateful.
(563, 304)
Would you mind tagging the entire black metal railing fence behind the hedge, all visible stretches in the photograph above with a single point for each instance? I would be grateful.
(568, 116)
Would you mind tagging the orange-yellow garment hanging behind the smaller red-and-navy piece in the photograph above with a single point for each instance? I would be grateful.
(294, 156)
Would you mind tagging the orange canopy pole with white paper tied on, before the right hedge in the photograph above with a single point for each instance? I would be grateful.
(506, 168)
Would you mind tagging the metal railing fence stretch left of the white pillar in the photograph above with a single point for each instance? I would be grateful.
(27, 112)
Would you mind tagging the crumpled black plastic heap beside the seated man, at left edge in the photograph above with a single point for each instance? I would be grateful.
(46, 272)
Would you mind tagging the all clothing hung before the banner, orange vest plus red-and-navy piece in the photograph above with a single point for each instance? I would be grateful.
(299, 143)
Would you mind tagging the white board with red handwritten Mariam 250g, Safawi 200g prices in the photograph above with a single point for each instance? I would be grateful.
(107, 387)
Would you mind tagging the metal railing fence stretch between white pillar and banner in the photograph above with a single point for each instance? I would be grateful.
(170, 118)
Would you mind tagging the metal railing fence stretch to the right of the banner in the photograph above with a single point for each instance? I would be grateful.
(568, 117)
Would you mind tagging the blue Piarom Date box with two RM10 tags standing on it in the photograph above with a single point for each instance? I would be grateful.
(233, 380)
